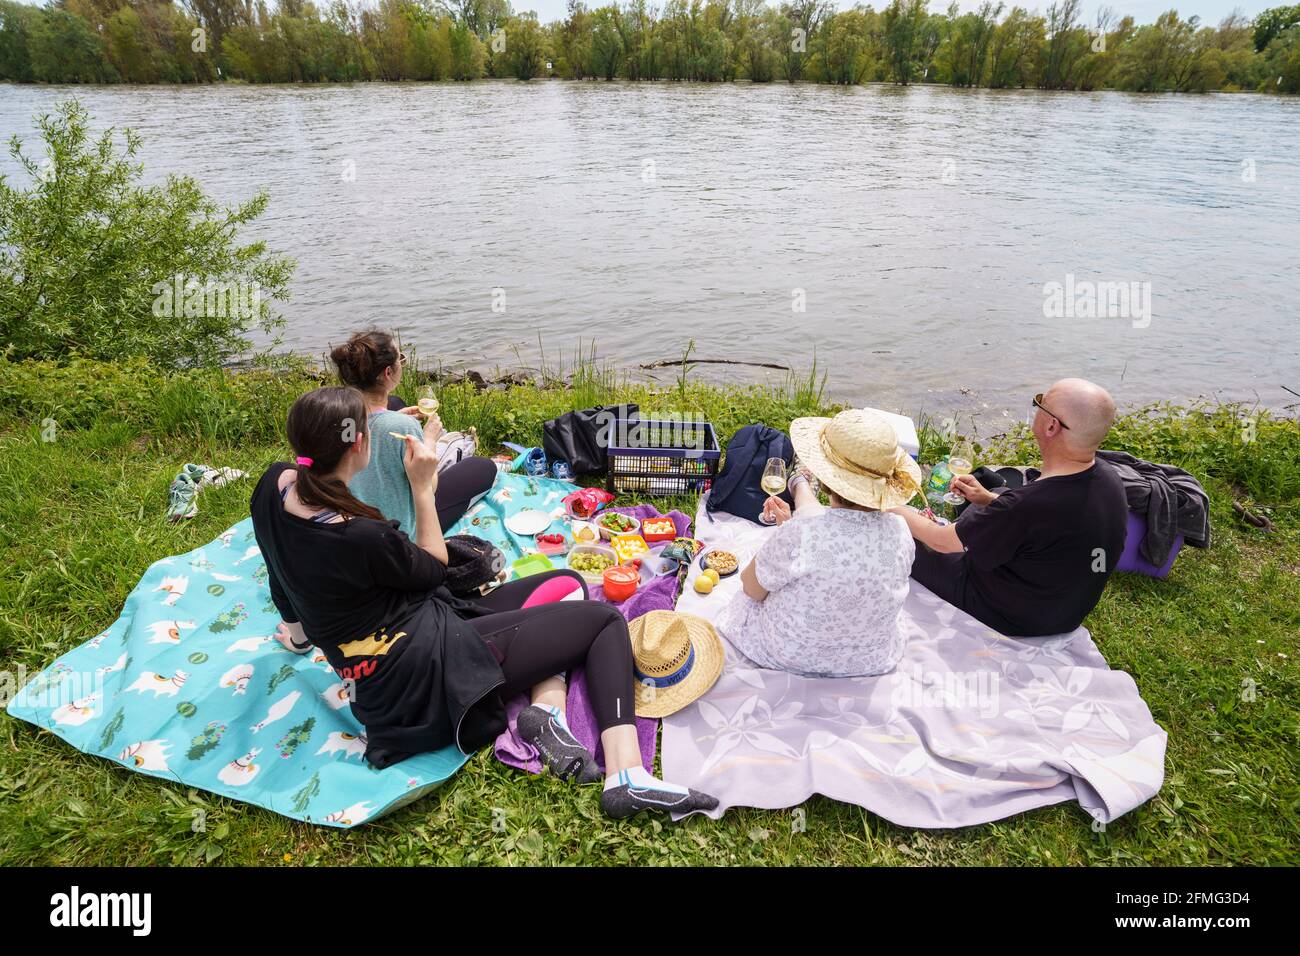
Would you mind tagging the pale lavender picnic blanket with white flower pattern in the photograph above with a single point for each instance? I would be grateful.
(972, 728)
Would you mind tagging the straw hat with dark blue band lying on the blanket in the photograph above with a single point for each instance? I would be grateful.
(677, 659)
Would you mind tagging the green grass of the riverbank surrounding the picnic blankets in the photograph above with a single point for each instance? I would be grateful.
(81, 518)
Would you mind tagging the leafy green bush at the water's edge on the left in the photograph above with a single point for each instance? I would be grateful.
(96, 265)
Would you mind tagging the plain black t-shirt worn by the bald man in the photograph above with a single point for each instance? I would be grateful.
(1038, 557)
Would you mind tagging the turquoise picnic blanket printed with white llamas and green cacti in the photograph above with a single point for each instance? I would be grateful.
(190, 686)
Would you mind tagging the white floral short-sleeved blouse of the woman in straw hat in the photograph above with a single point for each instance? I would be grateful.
(837, 583)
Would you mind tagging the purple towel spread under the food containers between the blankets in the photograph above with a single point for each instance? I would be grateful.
(660, 595)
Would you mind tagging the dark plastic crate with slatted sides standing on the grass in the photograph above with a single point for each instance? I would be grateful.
(662, 458)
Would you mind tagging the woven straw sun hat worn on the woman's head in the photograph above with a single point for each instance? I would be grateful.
(857, 456)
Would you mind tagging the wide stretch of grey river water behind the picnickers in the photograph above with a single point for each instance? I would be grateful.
(908, 237)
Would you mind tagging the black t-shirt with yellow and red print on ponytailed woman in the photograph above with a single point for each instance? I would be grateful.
(372, 602)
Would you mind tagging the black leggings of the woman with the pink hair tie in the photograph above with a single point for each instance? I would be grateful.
(538, 643)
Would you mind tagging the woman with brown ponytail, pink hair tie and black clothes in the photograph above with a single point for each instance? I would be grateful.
(428, 669)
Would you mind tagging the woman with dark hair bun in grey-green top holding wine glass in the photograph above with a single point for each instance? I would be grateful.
(371, 364)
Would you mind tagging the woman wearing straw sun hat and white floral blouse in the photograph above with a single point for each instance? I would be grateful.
(824, 596)
